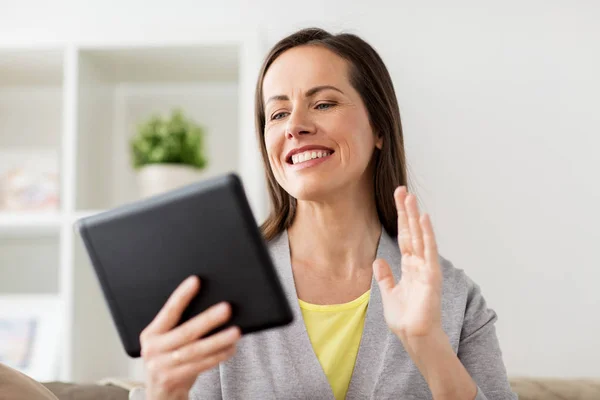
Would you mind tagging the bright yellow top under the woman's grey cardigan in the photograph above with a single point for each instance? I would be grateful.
(335, 332)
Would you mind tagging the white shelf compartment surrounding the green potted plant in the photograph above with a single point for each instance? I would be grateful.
(120, 88)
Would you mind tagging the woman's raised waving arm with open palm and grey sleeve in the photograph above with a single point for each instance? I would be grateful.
(413, 311)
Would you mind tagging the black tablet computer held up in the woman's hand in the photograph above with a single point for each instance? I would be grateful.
(143, 250)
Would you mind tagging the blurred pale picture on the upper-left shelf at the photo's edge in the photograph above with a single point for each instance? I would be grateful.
(28, 180)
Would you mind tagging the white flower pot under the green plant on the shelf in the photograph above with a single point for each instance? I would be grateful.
(154, 179)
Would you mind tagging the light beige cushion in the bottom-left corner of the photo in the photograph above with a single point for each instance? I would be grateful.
(17, 386)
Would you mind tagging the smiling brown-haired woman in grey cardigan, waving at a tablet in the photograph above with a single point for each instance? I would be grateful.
(377, 317)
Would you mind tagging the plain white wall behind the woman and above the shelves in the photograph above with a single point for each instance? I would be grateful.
(500, 112)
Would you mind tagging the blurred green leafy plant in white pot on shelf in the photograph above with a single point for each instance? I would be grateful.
(167, 153)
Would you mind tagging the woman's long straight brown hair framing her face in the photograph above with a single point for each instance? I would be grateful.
(371, 79)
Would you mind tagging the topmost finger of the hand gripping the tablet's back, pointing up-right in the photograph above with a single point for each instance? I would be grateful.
(171, 312)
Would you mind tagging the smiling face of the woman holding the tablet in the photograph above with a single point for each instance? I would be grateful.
(317, 131)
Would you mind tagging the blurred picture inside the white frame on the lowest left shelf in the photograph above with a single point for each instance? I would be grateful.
(16, 341)
